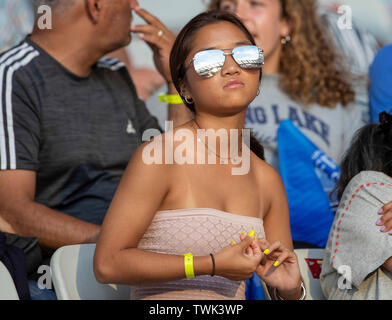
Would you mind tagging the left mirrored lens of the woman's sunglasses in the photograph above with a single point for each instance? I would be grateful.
(207, 63)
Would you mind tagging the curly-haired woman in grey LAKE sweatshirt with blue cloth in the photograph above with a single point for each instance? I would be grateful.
(303, 81)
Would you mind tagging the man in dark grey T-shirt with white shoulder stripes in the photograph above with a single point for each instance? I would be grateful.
(70, 120)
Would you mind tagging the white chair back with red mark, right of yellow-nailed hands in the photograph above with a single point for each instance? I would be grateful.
(310, 261)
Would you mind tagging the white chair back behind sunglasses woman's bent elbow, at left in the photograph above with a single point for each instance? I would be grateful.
(73, 276)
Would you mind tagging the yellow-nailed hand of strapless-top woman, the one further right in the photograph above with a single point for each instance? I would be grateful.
(279, 269)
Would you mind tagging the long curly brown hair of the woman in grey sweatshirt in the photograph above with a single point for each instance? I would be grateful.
(311, 71)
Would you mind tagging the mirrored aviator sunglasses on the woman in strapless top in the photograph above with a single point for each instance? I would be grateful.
(209, 62)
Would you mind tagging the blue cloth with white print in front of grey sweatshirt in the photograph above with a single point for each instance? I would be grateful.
(303, 168)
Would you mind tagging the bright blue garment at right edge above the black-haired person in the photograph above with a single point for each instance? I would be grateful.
(380, 94)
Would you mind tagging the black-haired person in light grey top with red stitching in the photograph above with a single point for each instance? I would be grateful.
(358, 259)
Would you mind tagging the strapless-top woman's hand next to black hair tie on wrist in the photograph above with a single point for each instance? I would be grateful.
(239, 261)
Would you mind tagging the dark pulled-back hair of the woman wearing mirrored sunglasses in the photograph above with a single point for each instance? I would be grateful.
(183, 45)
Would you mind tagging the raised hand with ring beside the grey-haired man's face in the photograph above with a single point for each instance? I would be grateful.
(159, 38)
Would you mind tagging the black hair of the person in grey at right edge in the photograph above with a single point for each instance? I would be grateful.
(371, 149)
